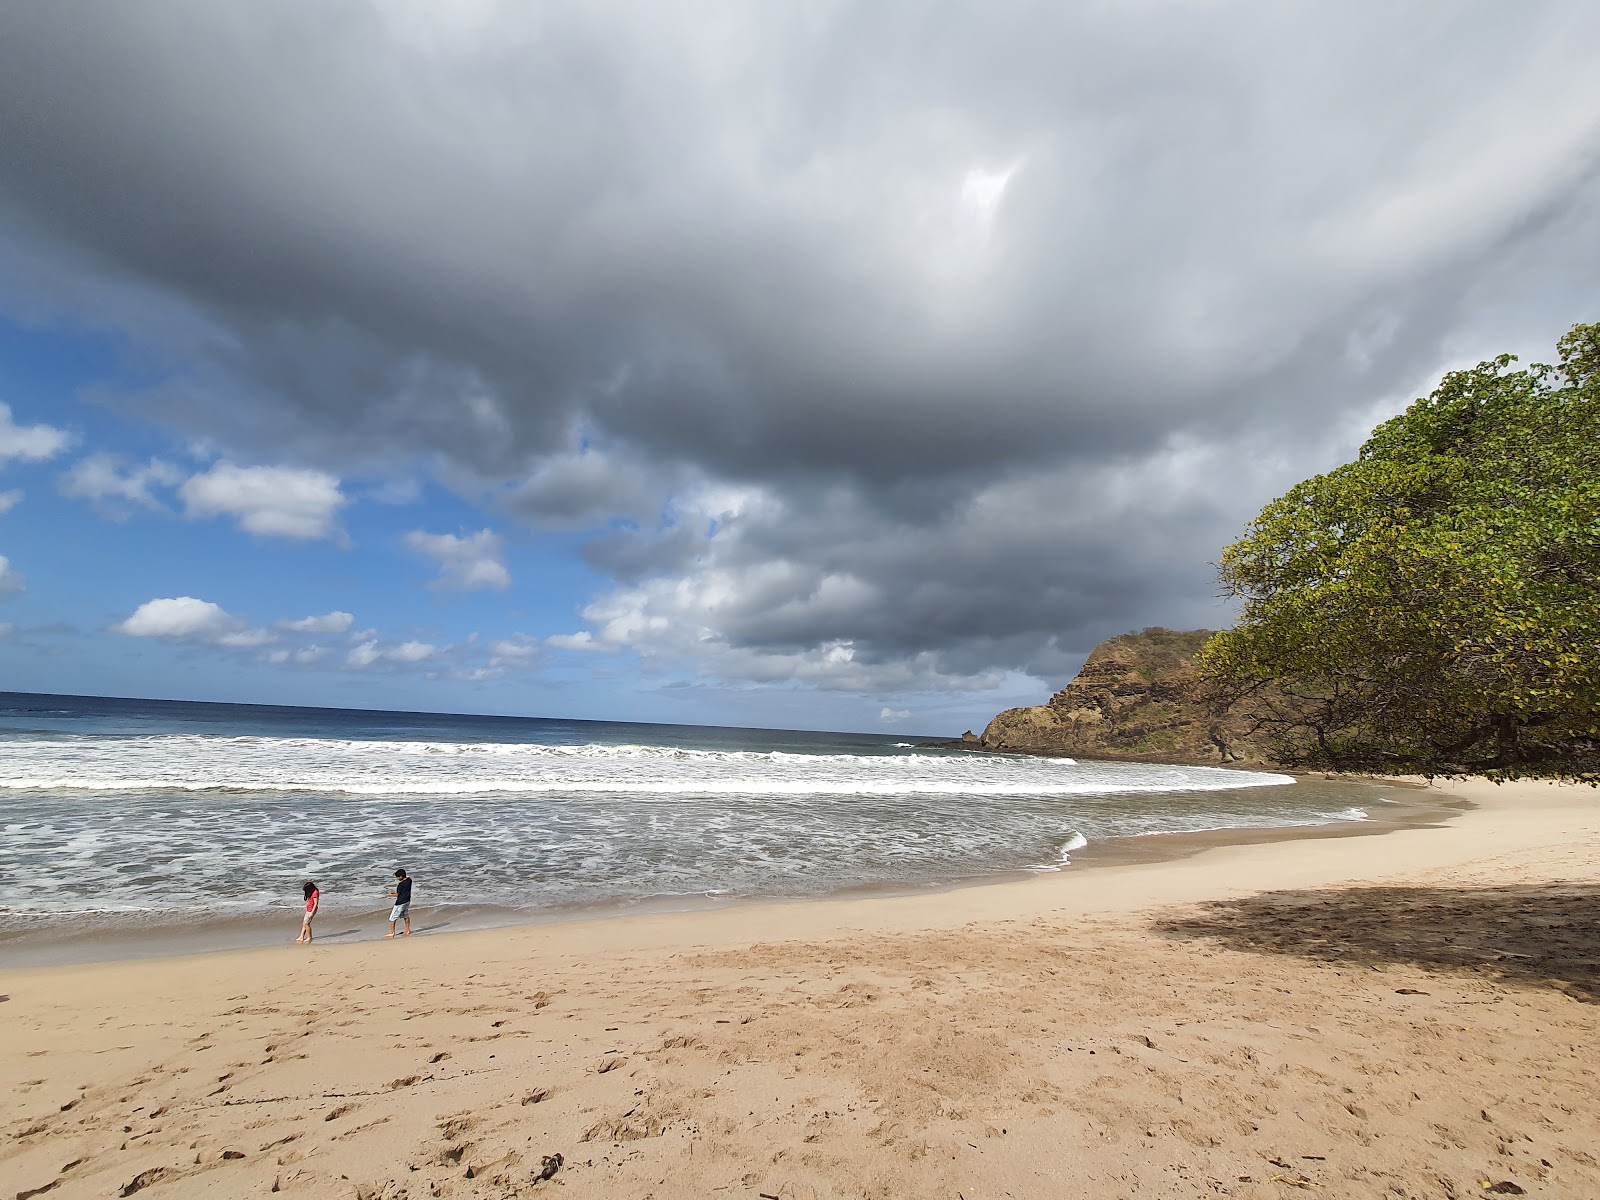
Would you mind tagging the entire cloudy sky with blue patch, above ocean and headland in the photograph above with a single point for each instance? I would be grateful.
(810, 366)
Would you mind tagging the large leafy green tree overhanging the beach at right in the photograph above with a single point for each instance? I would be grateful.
(1433, 607)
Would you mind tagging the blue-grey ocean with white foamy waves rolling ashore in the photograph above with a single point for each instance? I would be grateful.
(124, 814)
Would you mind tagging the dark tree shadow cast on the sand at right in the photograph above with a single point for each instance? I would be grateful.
(1542, 937)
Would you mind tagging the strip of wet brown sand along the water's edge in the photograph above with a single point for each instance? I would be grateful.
(63, 945)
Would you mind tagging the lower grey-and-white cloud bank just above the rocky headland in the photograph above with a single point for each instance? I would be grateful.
(1028, 575)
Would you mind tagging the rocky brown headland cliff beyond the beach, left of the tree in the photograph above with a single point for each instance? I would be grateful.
(1134, 700)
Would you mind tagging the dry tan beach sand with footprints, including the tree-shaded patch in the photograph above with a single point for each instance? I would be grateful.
(1410, 1015)
